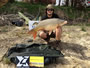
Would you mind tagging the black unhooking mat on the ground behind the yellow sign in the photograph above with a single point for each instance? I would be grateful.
(50, 54)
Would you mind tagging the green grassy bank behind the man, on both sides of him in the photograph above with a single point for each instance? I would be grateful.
(70, 12)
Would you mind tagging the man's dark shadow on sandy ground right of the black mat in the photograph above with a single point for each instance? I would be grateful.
(75, 50)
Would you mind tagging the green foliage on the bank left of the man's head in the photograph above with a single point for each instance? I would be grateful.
(22, 7)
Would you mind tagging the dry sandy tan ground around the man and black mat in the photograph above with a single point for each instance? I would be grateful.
(75, 45)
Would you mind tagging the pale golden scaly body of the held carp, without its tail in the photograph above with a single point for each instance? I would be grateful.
(49, 23)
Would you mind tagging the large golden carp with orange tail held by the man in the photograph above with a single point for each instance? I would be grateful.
(47, 24)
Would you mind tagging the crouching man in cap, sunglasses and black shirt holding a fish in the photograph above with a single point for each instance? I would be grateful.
(46, 35)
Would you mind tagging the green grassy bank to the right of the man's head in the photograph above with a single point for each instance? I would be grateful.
(73, 13)
